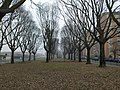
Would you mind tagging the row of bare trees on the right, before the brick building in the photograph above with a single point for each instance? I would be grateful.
(88, 22)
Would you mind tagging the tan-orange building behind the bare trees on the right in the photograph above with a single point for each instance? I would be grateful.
(112, 46)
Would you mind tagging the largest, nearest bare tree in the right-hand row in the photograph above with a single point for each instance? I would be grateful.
(103, 30)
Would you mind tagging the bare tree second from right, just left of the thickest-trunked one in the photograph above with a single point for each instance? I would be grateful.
(81, 26)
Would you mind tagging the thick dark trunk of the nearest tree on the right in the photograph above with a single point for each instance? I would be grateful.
(102, 55)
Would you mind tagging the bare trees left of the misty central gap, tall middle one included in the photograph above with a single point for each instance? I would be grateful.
(18, 30)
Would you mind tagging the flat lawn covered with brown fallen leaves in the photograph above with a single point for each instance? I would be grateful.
(58, 76)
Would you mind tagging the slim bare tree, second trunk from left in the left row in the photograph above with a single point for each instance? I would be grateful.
(23, 42)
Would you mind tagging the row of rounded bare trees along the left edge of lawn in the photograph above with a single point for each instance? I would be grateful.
(18, 30)
